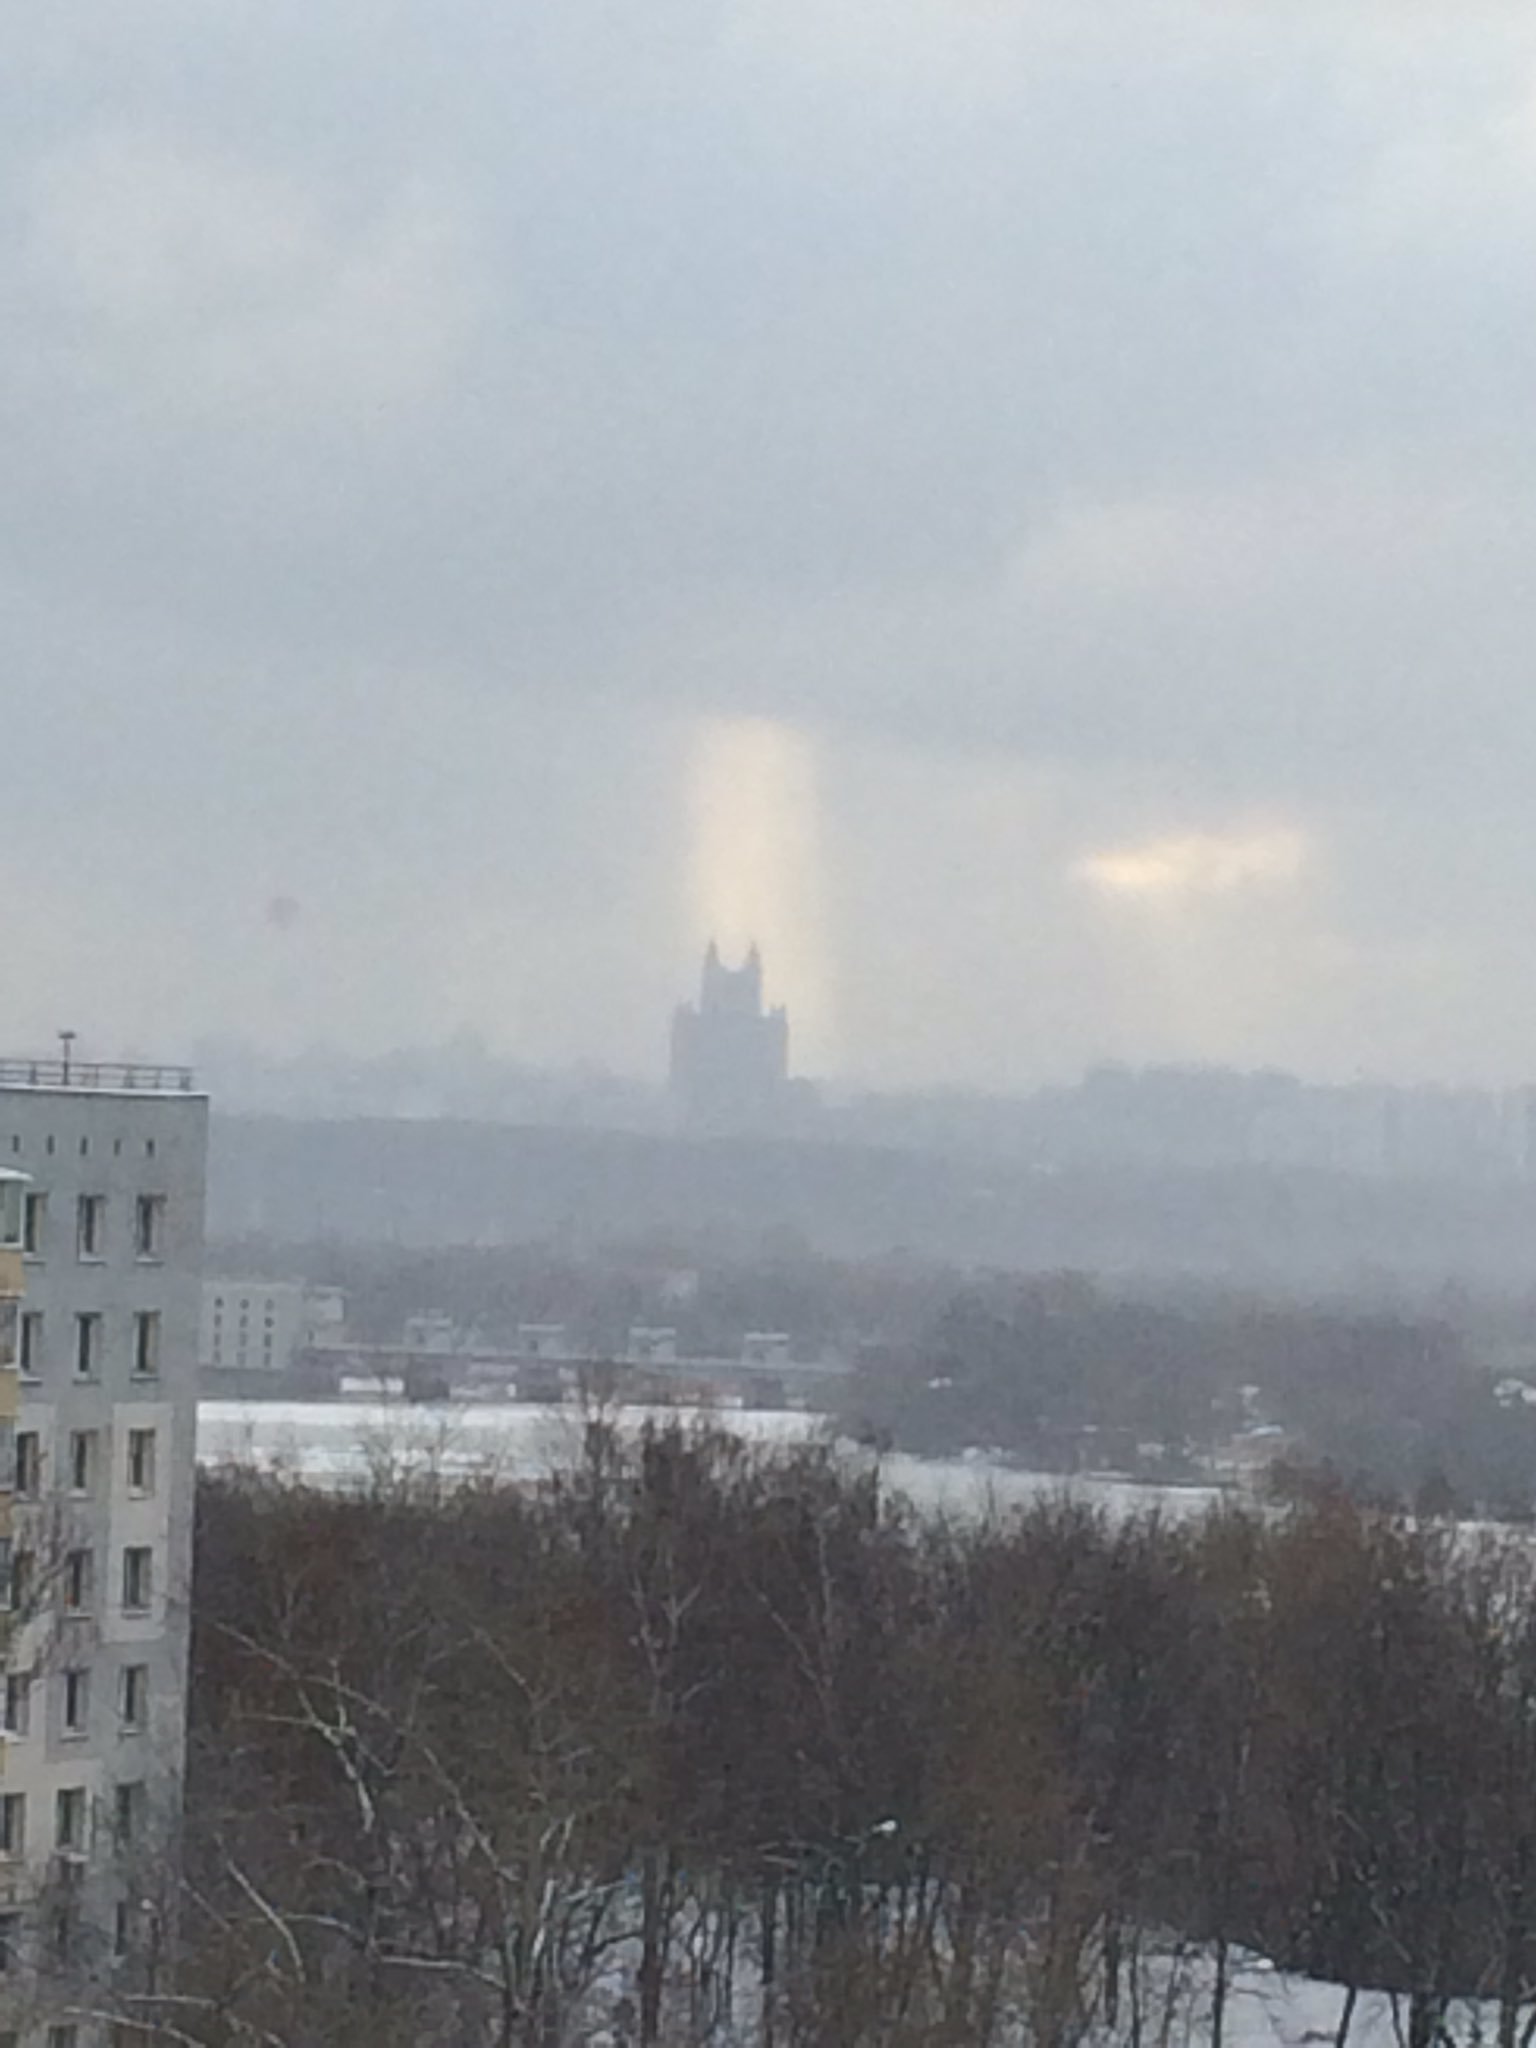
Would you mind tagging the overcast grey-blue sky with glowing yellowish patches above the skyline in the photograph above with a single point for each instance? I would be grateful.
(1021, 505)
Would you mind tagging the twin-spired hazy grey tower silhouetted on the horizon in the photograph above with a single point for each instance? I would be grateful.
(730, 1056)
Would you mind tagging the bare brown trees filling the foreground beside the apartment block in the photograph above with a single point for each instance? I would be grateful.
(708, 1746)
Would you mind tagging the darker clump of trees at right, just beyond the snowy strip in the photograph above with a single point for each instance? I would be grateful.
(1064, 1375)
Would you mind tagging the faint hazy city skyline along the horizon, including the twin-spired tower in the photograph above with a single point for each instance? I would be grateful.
(730, 1074)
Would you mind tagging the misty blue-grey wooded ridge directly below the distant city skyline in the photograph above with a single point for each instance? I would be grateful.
(462, 1183)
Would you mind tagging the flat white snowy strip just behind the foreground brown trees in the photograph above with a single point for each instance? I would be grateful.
(347, 1443)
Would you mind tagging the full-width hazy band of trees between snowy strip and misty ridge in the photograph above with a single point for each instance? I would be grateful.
(1398, 1392)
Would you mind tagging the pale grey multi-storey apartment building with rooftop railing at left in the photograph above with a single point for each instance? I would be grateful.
(97, 1562)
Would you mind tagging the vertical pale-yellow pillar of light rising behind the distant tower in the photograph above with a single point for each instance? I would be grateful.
(755, 867)
